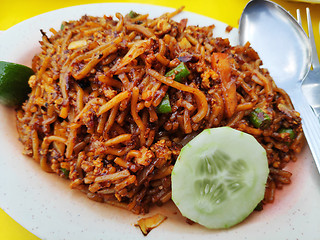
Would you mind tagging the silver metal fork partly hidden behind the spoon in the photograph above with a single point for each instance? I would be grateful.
(311, 84)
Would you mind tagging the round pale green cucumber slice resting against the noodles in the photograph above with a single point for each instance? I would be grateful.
(219, 177)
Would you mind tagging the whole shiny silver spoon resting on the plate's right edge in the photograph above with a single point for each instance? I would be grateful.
(285, 51)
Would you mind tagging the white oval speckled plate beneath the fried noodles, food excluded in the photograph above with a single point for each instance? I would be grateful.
(44, 204)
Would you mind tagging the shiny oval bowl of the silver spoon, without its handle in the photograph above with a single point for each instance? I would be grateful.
(280, 41)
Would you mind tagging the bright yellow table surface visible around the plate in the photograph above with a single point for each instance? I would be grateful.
(228, 11)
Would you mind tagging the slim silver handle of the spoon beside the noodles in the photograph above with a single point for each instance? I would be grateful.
(310, 124)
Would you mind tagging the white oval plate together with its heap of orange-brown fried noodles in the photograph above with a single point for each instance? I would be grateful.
(91, 151)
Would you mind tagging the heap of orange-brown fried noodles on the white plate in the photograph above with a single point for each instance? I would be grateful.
(92, 115)
